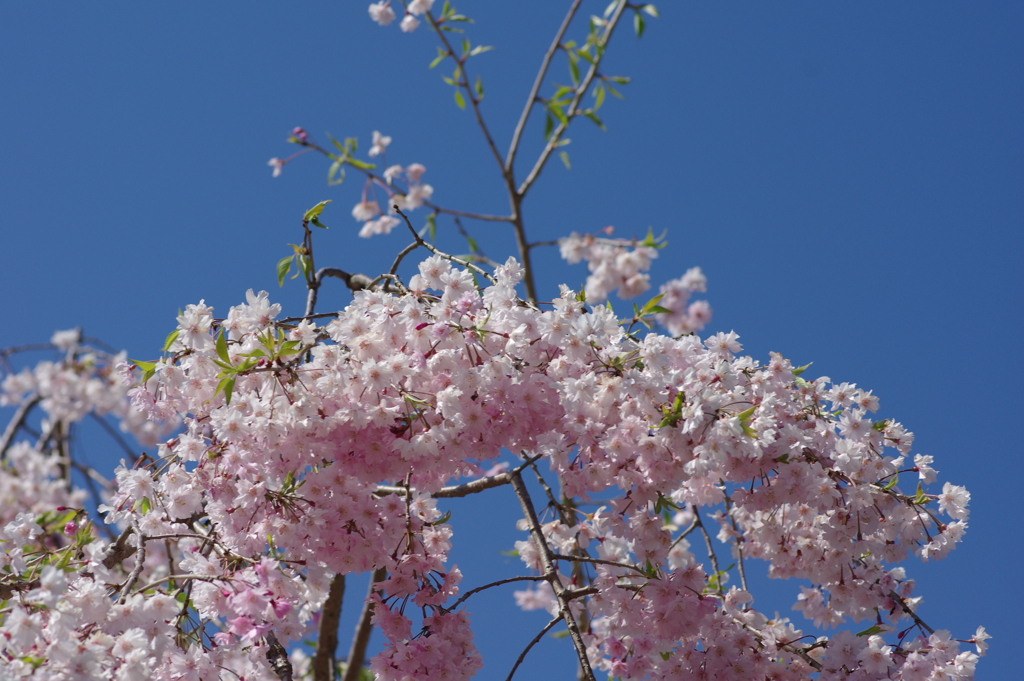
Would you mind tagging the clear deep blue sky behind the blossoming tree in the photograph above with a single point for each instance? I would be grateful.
(850, 179)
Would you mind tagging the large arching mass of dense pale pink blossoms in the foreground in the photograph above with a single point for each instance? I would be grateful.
(274, 486)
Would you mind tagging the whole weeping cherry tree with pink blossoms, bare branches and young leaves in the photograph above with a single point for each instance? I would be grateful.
(276, 454)
